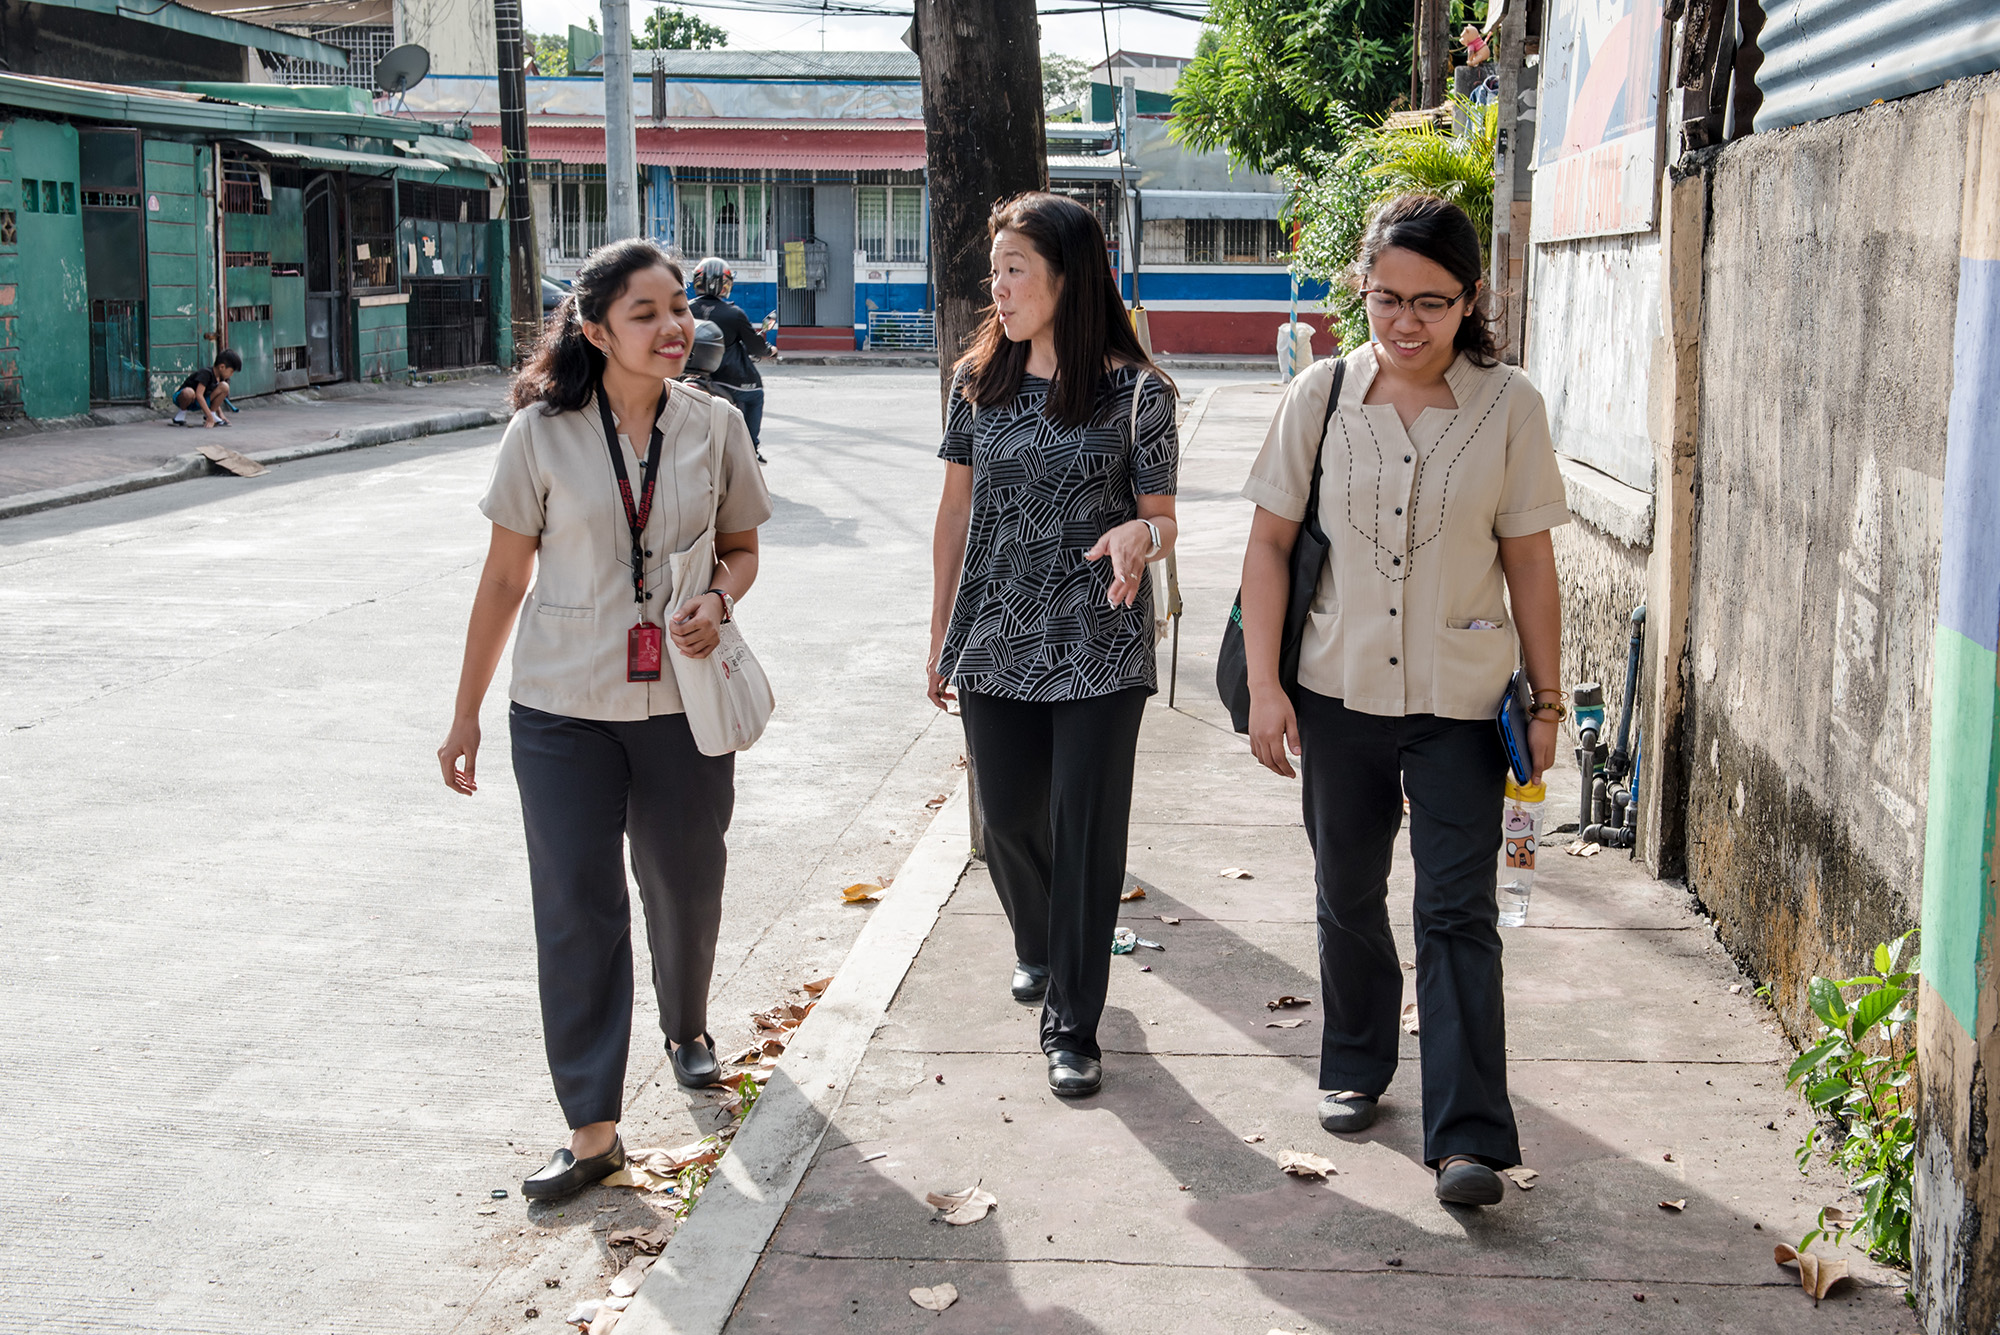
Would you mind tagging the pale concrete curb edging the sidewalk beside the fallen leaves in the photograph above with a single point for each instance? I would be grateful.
(695, 1284)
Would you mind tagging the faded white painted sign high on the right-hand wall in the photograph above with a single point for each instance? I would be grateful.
(1599, 137)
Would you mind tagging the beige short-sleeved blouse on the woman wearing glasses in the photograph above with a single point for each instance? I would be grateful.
(1415, 525)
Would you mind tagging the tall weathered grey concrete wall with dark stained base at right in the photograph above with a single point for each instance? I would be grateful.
(1829, 279)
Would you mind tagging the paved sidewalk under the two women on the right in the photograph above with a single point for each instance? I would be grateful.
(1643, 1072)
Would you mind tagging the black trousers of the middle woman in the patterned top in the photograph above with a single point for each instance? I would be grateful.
(1057, 804)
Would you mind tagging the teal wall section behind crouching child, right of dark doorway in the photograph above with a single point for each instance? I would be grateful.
(181, 265)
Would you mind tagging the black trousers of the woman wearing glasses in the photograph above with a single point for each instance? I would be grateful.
(1357, 772)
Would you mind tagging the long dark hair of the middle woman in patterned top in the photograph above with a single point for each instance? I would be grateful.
(1091, 317)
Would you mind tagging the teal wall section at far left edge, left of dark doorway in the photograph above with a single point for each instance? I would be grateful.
(51, 299)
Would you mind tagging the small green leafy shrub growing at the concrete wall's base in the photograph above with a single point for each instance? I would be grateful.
(1865, 1098)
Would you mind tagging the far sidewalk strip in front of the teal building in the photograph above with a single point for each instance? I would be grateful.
(47, 469)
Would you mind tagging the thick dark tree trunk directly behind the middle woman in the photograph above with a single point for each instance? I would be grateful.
(983, 141)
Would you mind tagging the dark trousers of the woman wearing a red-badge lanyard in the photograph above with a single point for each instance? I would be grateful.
(587, 790)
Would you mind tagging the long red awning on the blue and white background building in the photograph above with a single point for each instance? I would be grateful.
(827, 151)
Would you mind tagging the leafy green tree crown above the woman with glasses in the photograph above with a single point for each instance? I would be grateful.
(1271, 79)
